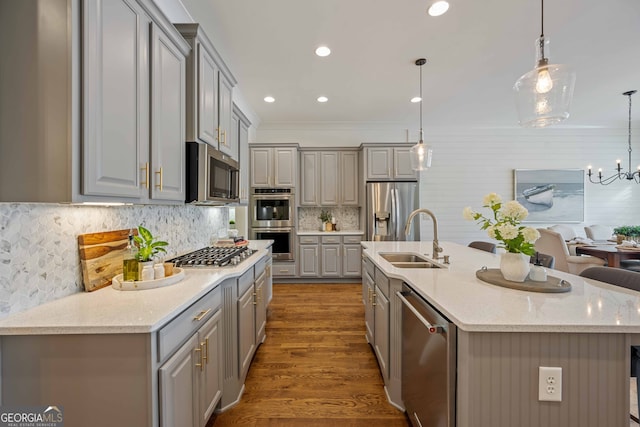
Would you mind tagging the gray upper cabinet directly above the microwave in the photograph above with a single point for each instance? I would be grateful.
(209, 93)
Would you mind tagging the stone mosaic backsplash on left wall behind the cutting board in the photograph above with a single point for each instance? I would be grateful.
(39, 259)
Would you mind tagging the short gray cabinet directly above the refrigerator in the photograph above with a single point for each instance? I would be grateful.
(386, 163)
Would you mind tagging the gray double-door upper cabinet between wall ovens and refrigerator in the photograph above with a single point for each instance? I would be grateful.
(329, 178)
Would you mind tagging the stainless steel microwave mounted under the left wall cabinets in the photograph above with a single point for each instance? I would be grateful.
(212, 177)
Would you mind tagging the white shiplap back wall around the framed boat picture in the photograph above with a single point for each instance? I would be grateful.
(469, 163)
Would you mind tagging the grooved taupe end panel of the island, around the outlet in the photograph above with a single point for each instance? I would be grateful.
(498, 379)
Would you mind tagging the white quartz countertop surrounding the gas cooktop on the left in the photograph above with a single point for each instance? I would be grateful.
(110, 311)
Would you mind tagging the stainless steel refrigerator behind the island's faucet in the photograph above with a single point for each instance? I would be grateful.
(388, 206)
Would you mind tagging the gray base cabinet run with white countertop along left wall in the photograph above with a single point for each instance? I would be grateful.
(156, 357)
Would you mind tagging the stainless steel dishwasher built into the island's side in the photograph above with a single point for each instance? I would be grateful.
(428, 363)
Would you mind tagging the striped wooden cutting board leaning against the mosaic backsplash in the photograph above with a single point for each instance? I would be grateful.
(101, 256)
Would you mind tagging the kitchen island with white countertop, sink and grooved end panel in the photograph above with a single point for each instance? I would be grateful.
(504, 335)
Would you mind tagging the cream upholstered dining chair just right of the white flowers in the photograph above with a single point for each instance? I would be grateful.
(553, 244)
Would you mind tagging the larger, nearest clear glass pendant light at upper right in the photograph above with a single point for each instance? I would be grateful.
(543, 95)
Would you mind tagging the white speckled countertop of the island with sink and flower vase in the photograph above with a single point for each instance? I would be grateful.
(474, 305)
